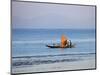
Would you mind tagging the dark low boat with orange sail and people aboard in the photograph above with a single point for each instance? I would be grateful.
(65, 43)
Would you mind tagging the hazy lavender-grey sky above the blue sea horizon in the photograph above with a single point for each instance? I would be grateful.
(52, 16)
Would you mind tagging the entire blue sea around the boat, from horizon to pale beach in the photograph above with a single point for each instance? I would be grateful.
(28, 46)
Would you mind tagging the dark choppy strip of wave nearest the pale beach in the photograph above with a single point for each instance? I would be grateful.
(37, 62)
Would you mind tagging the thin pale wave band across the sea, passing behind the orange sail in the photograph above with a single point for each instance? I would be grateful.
(51, 41)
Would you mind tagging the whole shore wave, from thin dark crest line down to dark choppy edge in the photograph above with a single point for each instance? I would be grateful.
(47, 59)
